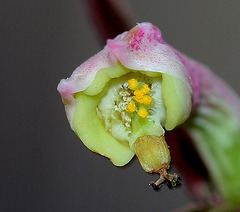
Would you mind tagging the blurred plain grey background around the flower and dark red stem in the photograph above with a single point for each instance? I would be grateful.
(43, 165)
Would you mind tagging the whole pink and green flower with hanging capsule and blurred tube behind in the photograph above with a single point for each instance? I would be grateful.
(124, 100)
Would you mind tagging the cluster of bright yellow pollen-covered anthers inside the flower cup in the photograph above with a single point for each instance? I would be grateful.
(140, 96)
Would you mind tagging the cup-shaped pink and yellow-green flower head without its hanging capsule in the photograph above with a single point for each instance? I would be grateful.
(99, 100)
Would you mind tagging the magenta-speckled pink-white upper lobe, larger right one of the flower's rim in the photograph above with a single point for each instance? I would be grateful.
(143, 49)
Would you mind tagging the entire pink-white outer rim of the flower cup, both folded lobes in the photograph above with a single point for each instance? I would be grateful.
(142, 48)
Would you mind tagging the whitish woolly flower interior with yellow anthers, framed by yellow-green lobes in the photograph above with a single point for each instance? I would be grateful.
(130, 103)
